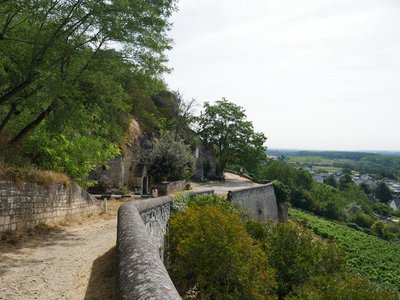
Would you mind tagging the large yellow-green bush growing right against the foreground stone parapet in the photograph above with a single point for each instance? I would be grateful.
(210, 251)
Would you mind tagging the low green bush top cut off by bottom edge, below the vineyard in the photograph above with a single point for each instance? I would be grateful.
(346, 286)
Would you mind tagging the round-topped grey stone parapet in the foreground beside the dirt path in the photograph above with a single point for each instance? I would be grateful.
(141, 273)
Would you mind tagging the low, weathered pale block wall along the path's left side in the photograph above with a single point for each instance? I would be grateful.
(28, 204)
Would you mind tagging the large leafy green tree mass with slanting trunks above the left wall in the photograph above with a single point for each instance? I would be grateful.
(71, 72)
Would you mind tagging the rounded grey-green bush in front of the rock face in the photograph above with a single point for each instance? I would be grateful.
(170, 158)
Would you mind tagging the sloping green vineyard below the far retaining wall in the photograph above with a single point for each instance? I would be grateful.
(377, 259)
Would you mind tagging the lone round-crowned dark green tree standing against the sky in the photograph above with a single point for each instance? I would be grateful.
(224, 126)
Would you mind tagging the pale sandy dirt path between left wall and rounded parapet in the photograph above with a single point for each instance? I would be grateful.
(76, 262)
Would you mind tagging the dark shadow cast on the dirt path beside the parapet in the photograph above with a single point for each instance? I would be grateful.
(102, 281)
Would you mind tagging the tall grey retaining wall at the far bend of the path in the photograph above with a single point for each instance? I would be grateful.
(259, 201)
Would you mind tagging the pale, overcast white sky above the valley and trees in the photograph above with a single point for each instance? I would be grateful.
(311, 74)
